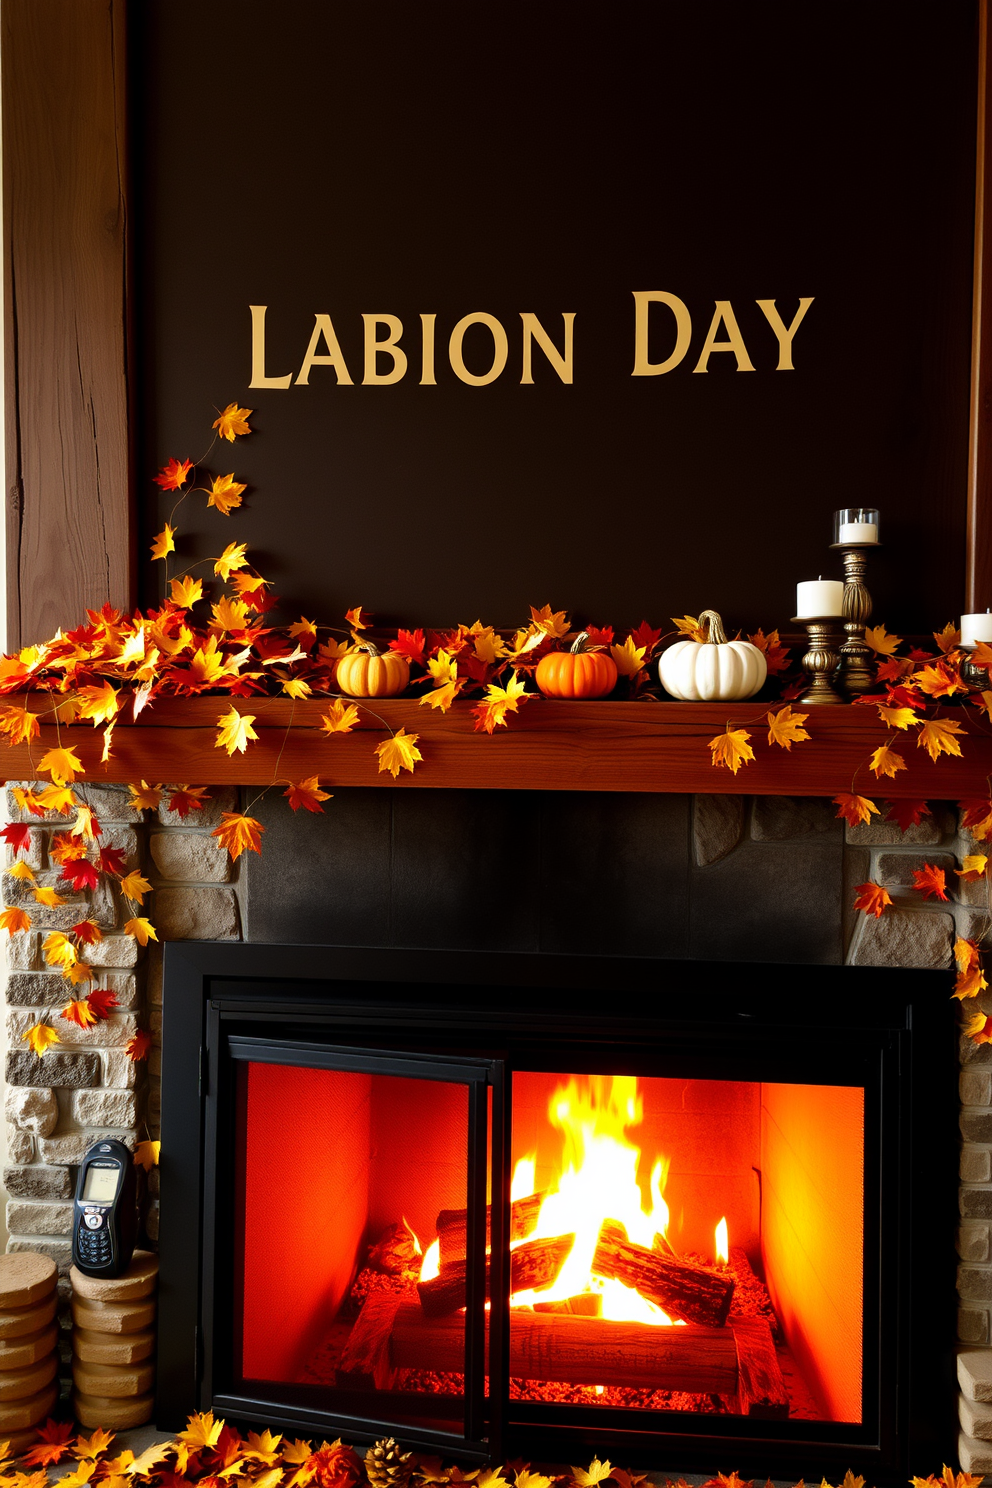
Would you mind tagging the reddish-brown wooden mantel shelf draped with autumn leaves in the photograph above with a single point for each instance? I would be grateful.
(548, 746)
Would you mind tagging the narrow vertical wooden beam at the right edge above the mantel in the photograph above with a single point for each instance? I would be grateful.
(979, 550)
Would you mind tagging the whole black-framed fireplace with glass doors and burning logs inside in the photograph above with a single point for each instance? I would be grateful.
(502, 1205)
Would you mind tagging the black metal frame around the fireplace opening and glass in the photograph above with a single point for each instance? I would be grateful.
(487, 1005)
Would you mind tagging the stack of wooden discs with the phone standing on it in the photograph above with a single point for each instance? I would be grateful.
(114, 1343)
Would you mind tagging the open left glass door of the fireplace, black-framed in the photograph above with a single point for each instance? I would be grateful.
(344, 1163)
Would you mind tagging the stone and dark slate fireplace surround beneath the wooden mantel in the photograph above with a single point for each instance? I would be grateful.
(716, 877)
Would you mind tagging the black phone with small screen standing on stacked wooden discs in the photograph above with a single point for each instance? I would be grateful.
(105, 1213)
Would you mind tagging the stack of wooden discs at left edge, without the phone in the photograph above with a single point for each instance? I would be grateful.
(29, 1346)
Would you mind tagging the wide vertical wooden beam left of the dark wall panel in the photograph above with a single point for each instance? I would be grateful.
(66, 225)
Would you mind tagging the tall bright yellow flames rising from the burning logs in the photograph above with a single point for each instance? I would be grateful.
(597, 1182)
